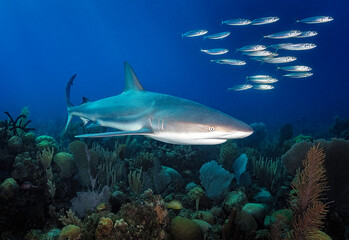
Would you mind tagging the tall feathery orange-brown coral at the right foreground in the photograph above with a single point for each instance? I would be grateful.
(306, 202)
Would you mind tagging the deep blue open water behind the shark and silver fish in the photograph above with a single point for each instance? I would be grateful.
(43, 43)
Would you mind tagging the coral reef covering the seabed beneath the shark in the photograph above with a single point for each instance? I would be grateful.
(267, 186)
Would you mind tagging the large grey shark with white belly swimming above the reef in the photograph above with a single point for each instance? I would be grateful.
(159, 116)
